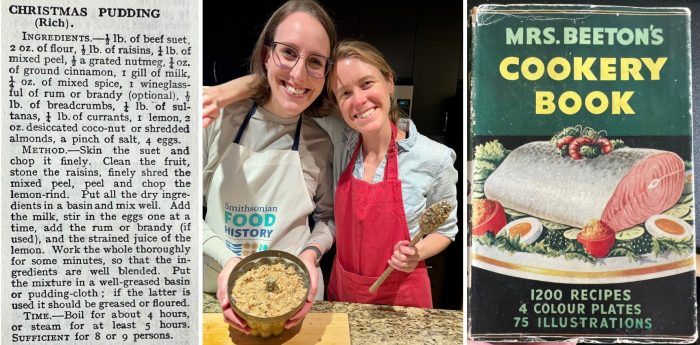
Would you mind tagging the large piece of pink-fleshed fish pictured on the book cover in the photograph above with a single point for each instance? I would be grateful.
(622, 188)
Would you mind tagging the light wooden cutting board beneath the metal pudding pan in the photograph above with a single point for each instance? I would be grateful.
(317, 328)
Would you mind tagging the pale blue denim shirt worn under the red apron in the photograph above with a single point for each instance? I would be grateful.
(426, 170)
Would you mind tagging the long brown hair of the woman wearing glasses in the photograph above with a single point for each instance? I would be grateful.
(260, 85)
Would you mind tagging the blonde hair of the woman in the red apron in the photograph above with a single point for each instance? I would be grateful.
(366, 53)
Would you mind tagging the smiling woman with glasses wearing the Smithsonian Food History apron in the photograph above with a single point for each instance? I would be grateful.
(267, 166)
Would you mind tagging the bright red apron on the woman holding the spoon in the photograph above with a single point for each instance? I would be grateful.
(369, 220)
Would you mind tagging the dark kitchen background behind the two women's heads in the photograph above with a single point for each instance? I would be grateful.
(422, 40)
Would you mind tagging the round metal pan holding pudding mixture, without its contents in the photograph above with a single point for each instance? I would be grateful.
(267, 326)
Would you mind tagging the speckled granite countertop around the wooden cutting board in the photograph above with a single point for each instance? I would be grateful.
(378, 324)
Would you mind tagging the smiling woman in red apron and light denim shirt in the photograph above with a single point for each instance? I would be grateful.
(386, 173)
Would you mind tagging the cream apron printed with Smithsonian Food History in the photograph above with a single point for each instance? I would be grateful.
(258, 201)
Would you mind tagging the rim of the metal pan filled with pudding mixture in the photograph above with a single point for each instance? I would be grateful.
(263, 255)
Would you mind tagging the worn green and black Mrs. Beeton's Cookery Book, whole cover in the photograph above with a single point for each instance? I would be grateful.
(582, 197)
